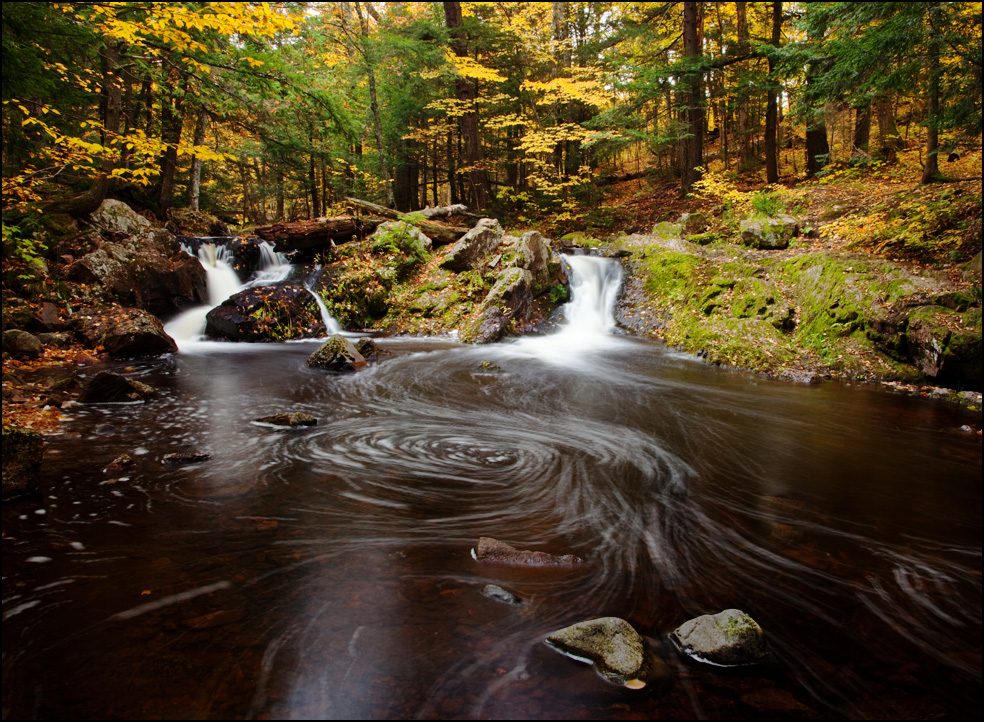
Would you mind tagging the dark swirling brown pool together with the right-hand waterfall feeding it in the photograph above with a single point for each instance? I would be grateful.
(327, 572)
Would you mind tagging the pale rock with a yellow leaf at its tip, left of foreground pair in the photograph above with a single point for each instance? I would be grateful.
(611, 644)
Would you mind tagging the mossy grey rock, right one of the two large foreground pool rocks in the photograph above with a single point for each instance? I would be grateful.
(729, 638)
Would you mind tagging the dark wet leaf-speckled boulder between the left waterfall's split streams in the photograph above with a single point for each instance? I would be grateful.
(277, 312)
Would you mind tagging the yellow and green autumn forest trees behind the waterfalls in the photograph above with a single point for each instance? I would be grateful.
(267, 112)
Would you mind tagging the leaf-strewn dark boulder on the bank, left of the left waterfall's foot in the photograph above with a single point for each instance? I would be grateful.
(125, 332)
